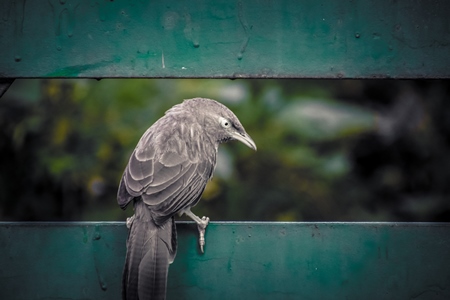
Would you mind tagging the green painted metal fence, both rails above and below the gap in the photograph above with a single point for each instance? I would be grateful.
(229, 39)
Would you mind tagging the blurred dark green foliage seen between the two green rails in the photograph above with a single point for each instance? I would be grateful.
(328, 150)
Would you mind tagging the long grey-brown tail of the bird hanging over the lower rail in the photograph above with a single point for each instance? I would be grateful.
(150, 250)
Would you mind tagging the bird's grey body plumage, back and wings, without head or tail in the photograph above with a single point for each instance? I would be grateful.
(165, 163)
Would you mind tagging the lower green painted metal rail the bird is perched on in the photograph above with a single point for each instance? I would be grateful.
(241, 261)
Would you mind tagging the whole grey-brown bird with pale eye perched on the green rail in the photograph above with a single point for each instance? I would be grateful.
(165, 176)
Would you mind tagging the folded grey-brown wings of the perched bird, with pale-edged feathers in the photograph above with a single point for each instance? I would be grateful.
(168, 178)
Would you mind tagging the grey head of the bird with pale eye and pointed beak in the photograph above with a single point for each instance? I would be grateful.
(220, 123)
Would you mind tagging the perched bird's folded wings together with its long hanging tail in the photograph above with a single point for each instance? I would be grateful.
(168, 176)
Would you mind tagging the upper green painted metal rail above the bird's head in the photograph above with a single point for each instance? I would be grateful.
(225, 39)
